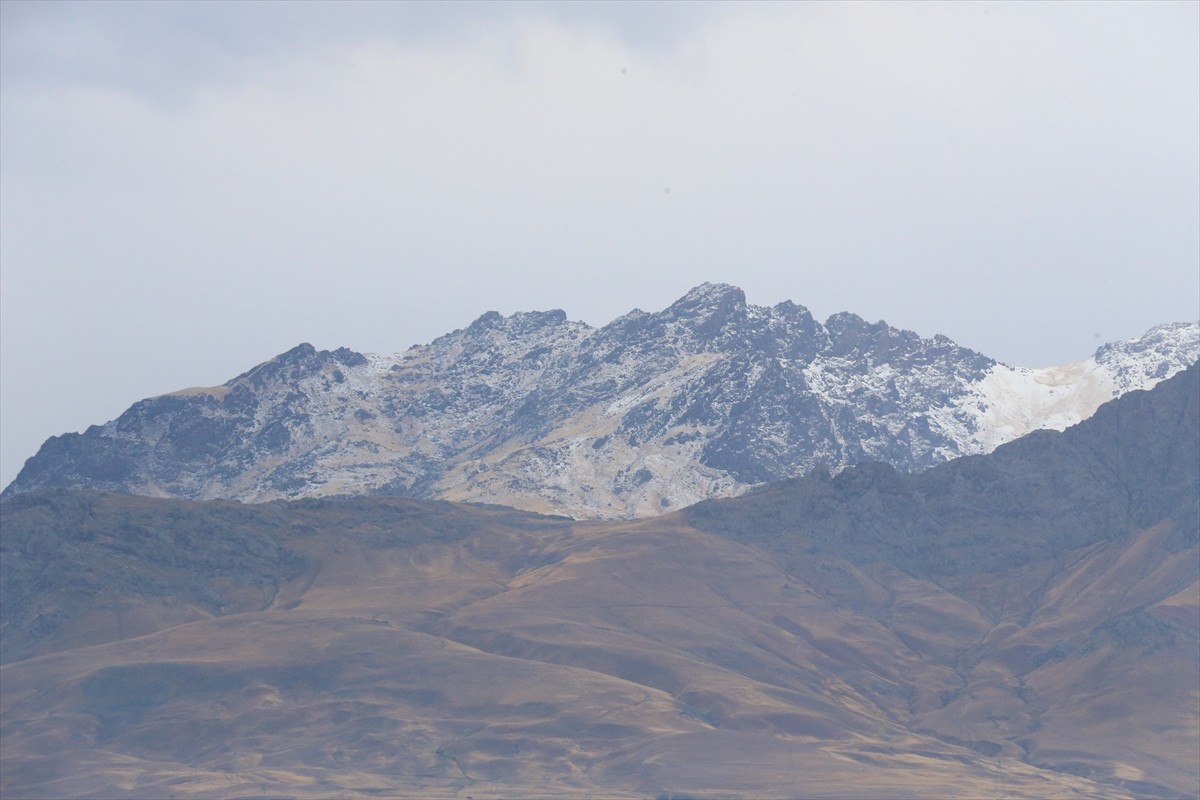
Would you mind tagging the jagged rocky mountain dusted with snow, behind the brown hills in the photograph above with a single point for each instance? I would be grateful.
(649, 414)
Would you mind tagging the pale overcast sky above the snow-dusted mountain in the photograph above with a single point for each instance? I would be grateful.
(190, 189)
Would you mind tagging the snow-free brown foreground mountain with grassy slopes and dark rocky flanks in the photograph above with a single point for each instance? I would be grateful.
(1022, 624)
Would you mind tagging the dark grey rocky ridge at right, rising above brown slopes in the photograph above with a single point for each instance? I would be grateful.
(1133, 465)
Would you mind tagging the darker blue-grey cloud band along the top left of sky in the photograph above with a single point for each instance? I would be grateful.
(166, 51)
